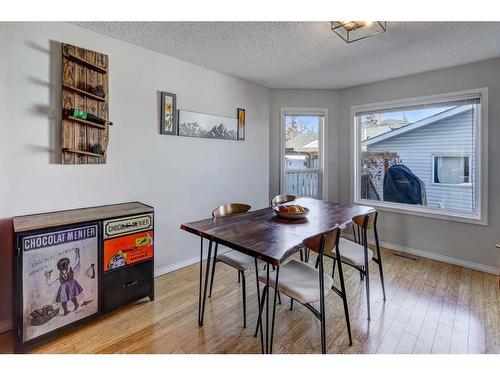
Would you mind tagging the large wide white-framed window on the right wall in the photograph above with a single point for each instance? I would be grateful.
(422, 156)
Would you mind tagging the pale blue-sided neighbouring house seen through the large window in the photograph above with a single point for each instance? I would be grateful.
(438, 150)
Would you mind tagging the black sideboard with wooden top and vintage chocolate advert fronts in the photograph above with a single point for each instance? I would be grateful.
(71, 266)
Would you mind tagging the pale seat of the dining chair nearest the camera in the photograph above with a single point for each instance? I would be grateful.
(299, 280)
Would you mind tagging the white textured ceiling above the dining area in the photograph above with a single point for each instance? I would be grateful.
(308, 54)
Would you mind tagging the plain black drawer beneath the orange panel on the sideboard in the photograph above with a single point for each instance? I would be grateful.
(128, 284)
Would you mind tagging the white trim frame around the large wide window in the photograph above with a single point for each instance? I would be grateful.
(481, 158)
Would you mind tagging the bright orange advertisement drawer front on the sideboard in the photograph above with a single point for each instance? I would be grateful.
(121, 251)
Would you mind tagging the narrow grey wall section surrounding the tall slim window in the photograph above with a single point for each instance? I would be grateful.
(324, 99)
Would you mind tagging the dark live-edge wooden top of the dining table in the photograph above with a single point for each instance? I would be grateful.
(268, 237)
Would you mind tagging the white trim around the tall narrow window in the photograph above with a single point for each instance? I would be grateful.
(323, 134)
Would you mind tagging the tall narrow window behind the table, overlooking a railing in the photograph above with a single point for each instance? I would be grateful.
(302, 152)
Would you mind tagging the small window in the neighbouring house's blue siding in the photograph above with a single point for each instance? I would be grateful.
(451, 170)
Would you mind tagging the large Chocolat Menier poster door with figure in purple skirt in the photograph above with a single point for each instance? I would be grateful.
(59, 278)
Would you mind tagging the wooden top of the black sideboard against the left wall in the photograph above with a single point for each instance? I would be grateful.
(53, 219)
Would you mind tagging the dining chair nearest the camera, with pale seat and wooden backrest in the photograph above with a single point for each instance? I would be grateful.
(302, 282)
